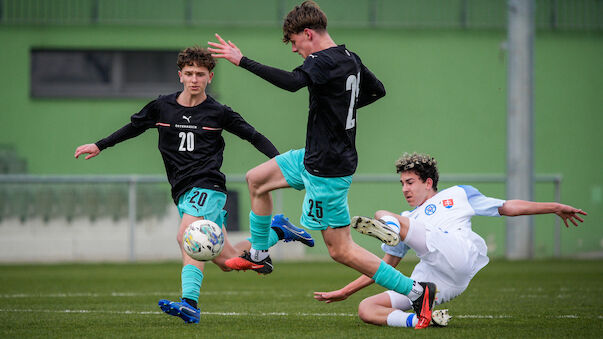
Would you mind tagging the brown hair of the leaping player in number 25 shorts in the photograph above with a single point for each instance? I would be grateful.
(306, 15)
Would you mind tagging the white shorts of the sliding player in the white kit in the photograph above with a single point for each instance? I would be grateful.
(452, 260)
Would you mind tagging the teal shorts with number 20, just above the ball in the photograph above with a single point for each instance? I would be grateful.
(202, 202)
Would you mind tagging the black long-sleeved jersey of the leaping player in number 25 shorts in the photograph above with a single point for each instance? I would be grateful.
(338, 84)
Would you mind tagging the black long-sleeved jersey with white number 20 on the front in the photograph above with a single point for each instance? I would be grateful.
(190, 140)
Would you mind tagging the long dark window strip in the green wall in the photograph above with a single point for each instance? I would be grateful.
(102, 73)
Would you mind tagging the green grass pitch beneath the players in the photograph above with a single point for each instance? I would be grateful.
(506, 299)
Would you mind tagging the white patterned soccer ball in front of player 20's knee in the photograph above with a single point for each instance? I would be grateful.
(203, 240)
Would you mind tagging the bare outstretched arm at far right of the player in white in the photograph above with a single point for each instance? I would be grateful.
(522, 207)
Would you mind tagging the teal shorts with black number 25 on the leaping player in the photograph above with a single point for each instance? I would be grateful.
(326, 200)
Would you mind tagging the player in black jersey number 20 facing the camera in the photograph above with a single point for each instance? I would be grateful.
(190, 124)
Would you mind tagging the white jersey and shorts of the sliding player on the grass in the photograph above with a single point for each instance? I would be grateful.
(456, 253)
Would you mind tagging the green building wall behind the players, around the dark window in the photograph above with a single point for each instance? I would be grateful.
(446, 96)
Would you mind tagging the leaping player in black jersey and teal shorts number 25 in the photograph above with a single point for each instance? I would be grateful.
(338, 84)
